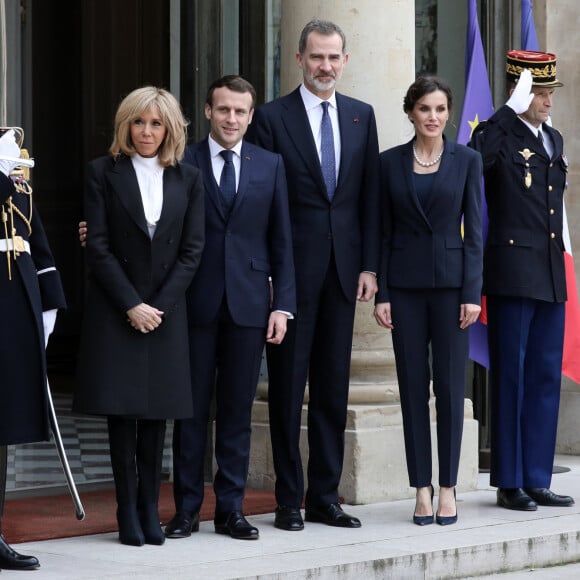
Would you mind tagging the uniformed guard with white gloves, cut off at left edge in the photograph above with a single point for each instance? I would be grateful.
(30, 294)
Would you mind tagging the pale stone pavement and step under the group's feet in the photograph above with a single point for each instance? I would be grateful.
(486, 540)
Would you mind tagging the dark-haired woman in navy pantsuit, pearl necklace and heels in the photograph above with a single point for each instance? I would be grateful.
(430, 285)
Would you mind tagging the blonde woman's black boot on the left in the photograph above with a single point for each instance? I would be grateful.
(122, 445)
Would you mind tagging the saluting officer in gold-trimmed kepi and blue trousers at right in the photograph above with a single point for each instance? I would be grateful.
(525, 175)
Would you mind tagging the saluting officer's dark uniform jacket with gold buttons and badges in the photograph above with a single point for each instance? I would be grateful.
(524, 193)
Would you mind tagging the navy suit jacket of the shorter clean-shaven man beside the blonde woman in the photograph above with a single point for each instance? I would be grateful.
(247, 247)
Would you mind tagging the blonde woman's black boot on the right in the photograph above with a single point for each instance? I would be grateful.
(150, 439)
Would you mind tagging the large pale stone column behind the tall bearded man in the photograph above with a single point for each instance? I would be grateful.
(380, 40)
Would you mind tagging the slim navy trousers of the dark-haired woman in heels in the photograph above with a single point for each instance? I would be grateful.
(424, 318)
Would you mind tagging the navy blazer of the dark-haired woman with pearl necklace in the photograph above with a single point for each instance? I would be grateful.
(423, 247)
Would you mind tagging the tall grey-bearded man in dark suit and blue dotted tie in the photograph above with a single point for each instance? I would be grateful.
(330, 150)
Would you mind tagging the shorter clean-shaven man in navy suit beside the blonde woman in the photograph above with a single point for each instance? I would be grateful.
(241, 297)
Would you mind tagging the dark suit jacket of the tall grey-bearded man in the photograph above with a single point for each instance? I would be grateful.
(350, 225)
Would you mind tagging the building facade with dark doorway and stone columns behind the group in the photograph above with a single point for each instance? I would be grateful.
(65, 65)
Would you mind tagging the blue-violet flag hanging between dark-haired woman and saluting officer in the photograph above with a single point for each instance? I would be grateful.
(477, 106)
